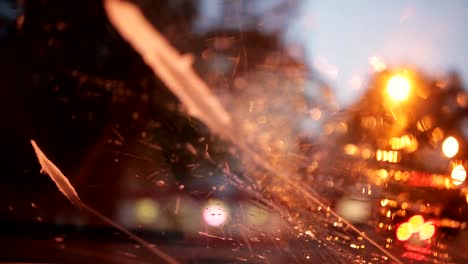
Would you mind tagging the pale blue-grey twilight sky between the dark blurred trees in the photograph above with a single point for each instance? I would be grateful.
(340, 36)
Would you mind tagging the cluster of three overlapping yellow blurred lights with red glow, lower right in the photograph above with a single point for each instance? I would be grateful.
(415, 225)
